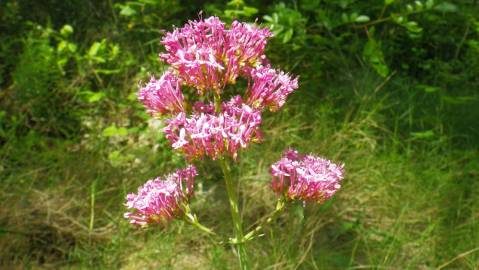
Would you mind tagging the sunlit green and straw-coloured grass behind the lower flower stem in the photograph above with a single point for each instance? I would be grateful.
(405, 203)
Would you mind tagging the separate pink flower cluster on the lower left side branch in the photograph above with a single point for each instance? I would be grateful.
(161, 200)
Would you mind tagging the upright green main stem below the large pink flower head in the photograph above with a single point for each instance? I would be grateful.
(233, 199)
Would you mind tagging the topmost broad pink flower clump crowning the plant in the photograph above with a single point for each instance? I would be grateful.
(207, 56)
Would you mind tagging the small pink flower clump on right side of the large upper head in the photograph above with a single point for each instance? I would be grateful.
(270, 88)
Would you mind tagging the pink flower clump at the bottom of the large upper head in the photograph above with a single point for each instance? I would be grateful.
(207, 134)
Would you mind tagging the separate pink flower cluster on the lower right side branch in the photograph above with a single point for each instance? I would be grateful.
(306, 177)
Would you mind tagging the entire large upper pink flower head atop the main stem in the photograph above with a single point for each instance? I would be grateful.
(207, 56)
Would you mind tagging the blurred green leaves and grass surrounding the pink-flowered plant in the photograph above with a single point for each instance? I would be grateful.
(389, 87)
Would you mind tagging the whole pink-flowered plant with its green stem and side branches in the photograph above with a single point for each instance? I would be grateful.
(208, 56)
